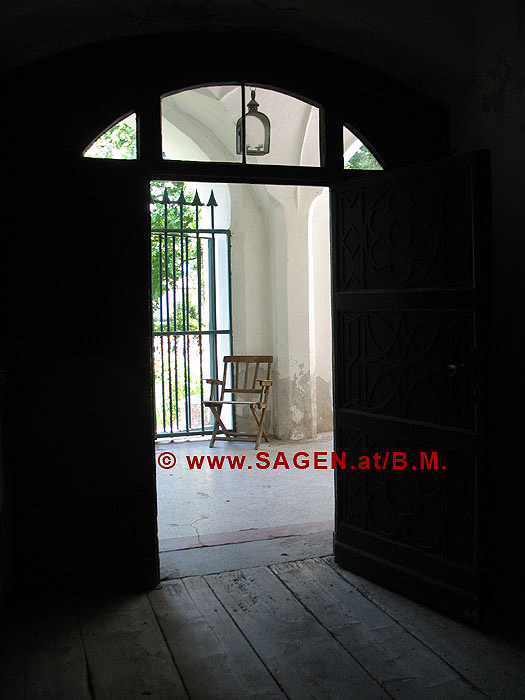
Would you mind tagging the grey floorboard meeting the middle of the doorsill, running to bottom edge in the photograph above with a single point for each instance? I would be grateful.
(304, 658)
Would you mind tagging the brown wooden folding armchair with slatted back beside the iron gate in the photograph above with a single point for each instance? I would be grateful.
(241, 378)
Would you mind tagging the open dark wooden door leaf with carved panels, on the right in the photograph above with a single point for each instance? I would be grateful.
(408, 341)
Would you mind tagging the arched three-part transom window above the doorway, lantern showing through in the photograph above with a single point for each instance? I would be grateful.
(234, 124)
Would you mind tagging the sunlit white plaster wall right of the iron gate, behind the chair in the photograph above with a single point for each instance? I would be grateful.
(281, 300)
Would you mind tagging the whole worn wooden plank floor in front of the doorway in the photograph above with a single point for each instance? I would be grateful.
(302, 630)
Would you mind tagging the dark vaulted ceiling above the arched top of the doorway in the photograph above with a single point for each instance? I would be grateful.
(430, 44)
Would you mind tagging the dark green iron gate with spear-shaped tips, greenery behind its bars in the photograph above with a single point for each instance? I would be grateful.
(191, 305)
